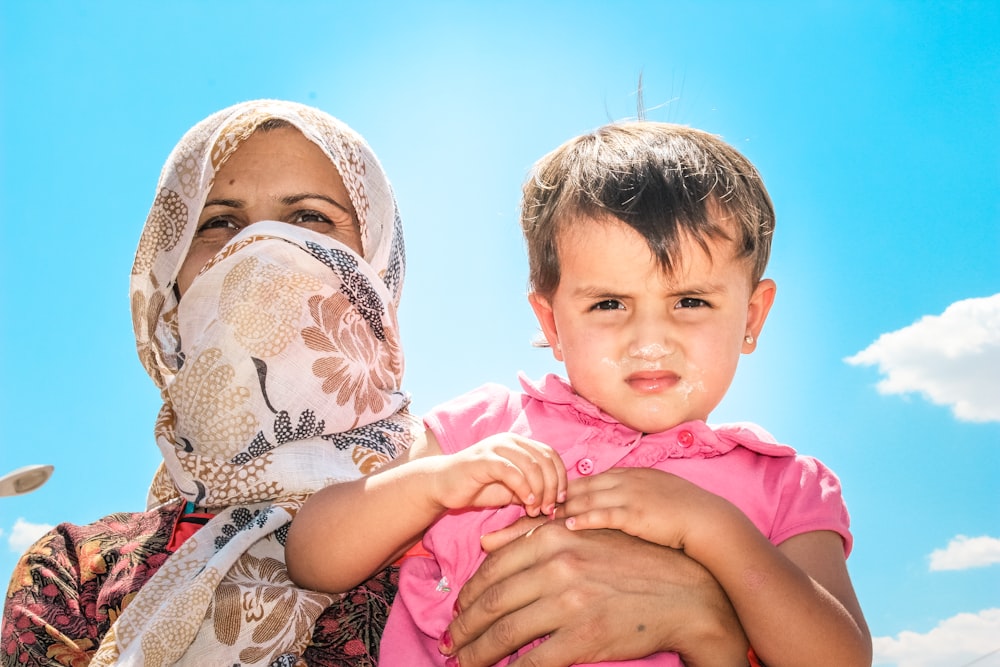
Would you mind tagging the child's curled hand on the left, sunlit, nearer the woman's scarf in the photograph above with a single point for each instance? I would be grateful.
(500, 470)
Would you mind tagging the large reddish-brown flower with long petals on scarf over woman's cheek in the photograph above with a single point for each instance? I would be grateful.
(357, 369)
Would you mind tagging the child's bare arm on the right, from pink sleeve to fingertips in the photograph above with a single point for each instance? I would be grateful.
(795, 601)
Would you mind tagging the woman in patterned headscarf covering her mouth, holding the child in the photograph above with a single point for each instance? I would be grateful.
(276, 350)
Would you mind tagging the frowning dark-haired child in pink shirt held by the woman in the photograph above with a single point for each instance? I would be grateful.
(647, 244)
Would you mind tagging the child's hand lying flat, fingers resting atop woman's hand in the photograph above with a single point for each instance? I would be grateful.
(651, 504)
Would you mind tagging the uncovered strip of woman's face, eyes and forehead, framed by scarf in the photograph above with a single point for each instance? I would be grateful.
(274, 175)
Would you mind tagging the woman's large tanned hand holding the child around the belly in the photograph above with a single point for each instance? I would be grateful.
(599, 595)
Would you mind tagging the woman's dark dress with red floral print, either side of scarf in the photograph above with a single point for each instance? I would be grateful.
(73, 584)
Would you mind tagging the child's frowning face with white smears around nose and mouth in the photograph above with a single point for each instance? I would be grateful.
(649, 349)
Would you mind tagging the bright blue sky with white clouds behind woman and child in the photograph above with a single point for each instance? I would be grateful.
(876, 126)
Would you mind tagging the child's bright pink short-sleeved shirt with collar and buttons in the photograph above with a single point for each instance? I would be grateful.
(784, 494)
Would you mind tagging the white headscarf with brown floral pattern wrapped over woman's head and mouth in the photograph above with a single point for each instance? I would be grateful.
(280, 372)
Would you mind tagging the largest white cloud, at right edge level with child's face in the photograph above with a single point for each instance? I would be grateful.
(951, 359)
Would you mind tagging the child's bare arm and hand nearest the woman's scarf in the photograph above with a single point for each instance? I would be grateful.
(347, 531)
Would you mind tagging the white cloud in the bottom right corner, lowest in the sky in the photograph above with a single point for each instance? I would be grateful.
(965, 639)
